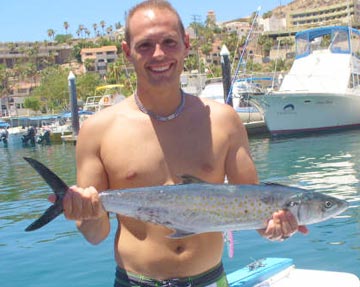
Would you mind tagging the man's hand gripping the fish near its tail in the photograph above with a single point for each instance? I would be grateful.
(81, 203)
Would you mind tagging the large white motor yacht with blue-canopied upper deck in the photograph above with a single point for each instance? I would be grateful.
(322, 89)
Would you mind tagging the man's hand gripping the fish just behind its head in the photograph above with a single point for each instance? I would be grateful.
(281, 226)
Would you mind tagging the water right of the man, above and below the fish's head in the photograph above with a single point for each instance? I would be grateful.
(328, 163)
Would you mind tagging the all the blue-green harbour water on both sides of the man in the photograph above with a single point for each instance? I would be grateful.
(58, 256)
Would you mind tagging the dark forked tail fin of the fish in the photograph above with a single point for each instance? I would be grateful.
(58, 187)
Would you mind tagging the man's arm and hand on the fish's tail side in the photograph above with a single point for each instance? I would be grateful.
(82, 203)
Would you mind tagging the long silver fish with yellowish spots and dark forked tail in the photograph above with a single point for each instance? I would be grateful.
(196, 207)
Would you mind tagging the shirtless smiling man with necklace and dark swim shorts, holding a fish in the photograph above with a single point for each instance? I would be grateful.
(150, 138)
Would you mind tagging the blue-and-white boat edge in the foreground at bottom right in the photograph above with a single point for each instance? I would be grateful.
(281, 272)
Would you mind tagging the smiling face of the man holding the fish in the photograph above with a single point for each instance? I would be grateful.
(157, 48)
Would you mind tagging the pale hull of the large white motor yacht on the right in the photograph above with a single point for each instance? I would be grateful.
(290, 113)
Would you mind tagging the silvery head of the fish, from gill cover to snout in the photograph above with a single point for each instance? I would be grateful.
(311, 207)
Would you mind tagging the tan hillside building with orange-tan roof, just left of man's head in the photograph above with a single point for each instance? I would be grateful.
(97, 59)
